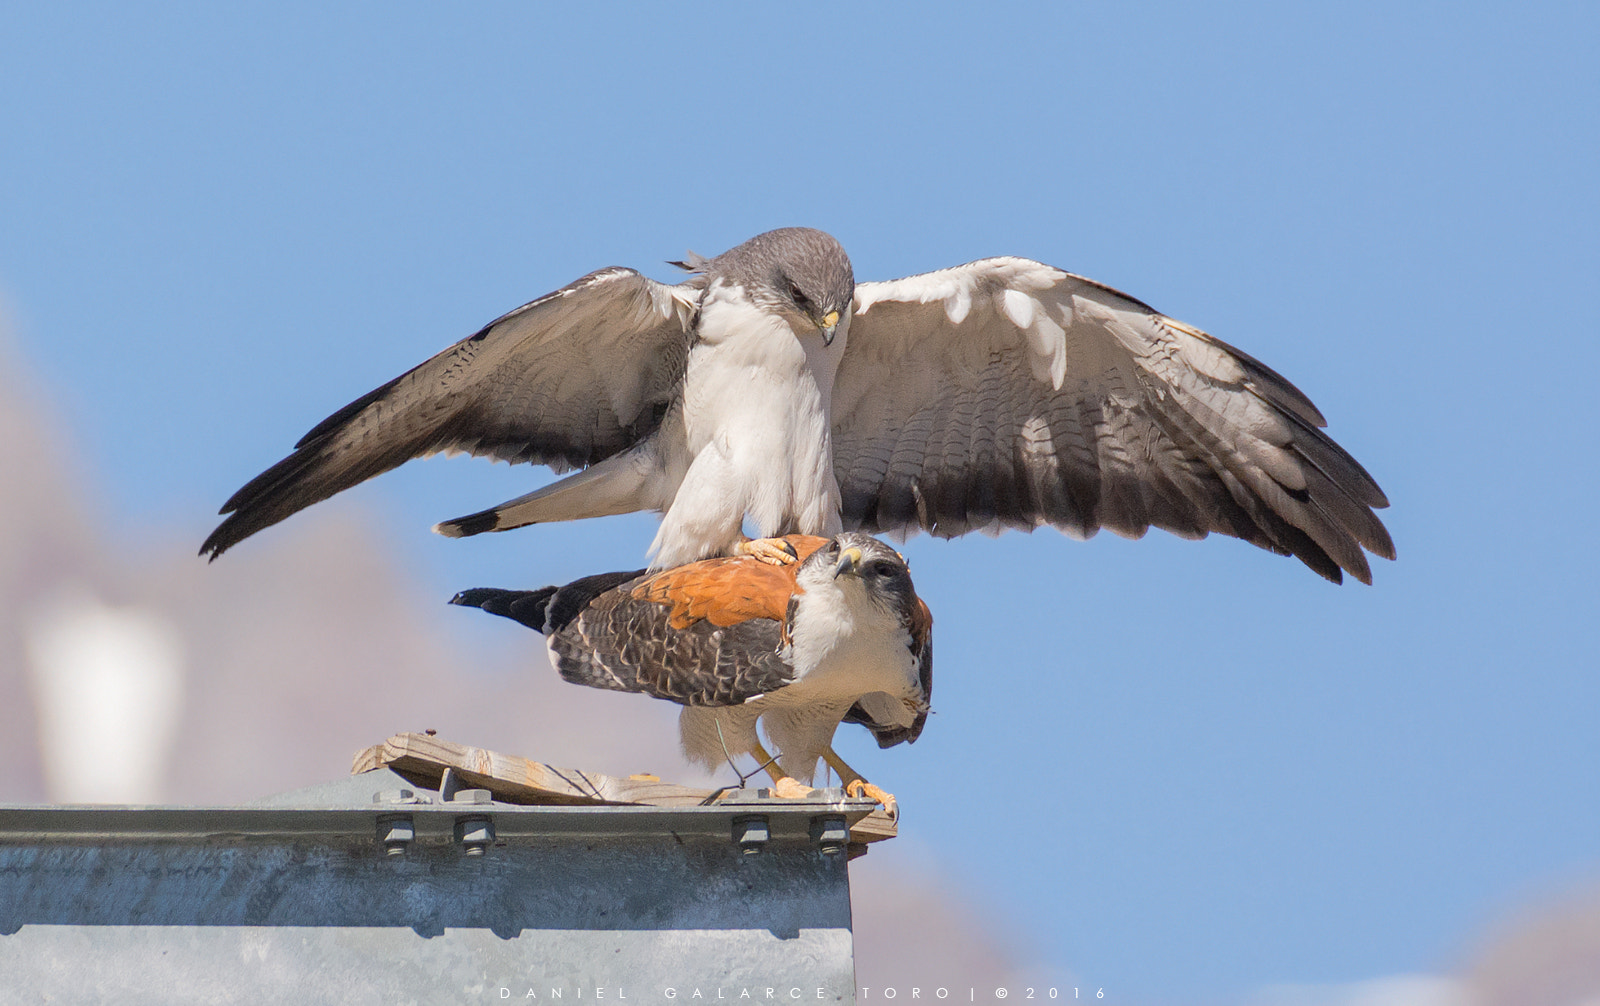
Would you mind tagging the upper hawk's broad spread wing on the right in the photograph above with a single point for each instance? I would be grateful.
(1009, 394)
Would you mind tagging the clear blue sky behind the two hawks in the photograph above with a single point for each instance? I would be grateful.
(1186, 770)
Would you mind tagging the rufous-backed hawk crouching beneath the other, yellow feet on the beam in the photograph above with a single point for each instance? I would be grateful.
(838, 636)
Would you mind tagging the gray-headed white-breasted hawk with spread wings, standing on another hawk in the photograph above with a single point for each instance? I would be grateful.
(774, 388)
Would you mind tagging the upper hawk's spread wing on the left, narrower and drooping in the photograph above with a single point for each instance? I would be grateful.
(564, 381)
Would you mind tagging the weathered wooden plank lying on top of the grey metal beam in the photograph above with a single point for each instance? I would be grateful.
(423, 759)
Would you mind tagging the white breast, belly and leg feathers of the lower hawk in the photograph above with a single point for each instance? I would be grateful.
(846, 647)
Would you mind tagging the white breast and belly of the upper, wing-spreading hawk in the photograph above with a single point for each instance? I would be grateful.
(756, 426)
